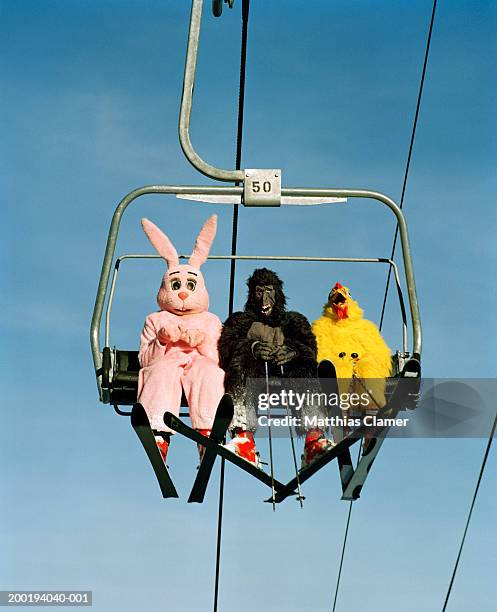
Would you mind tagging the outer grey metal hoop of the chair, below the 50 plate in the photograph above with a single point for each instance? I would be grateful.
(299, 192)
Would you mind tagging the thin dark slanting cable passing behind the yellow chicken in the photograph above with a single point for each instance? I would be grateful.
(406, 174)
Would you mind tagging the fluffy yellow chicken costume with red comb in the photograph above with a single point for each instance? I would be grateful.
(355, 347)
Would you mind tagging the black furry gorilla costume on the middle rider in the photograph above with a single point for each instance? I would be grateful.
(265, 332)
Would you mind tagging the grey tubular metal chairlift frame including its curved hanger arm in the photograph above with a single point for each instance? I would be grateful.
(244, 195)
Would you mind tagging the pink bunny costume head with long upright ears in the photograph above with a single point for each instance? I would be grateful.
(183, 290)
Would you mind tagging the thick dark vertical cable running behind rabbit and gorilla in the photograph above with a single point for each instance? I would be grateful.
(234, 239)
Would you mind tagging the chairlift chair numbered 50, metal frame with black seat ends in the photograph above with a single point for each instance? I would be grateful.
(117, 370)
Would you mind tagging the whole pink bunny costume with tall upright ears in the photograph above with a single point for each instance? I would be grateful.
(178, 347)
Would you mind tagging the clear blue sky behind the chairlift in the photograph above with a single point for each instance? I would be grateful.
(89, 100)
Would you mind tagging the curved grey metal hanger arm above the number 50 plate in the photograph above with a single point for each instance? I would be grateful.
(186, 104)
